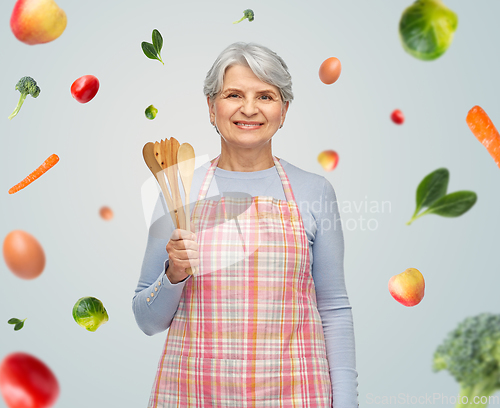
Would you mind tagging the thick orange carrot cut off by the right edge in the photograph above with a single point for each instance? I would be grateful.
(482, 127)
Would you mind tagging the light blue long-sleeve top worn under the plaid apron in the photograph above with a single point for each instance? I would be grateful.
(156, 299)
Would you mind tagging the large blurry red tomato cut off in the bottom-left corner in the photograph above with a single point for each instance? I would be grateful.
(26, 382)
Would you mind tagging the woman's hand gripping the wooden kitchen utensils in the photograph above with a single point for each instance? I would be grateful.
(182, 253)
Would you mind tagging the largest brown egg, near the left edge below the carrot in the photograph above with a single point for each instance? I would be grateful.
(23, 254)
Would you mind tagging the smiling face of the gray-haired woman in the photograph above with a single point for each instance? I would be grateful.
(247, 111)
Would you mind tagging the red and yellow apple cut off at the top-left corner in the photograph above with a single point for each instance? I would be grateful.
(37, 21)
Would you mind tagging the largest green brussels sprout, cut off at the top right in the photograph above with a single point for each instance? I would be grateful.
(426, 29)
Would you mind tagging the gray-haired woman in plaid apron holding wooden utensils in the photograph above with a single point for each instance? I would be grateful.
(265, 321)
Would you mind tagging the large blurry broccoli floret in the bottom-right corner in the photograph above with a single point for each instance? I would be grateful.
(471, 354)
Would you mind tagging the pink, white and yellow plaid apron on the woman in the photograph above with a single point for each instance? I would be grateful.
(247, 332)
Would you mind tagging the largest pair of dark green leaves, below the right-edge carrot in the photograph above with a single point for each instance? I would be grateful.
(431, 192)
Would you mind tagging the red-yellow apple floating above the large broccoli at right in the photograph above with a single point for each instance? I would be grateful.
(407, 287)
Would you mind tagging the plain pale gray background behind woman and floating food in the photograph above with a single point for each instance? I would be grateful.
(100, 144)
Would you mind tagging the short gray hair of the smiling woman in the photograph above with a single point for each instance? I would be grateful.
(268, 66)
